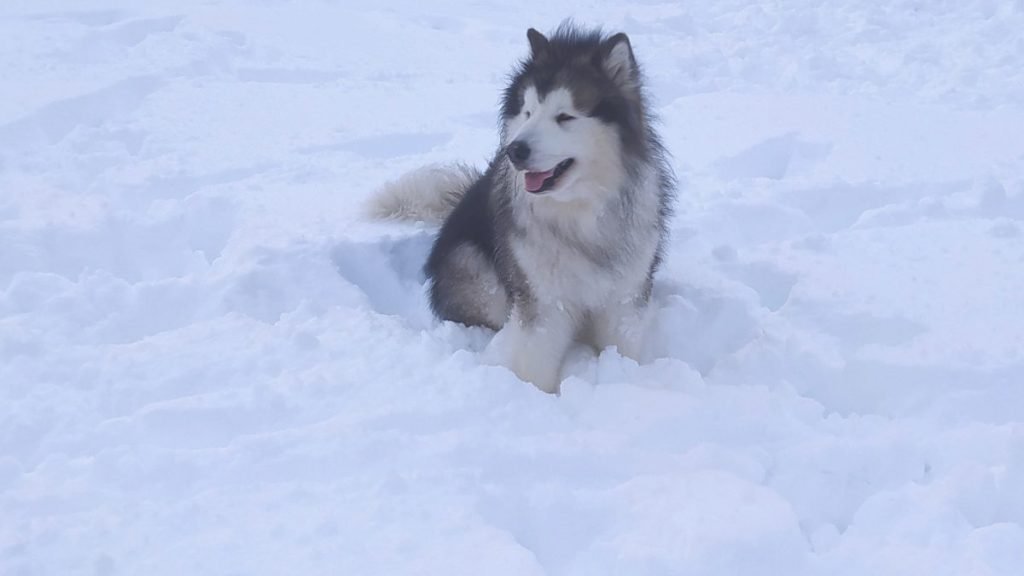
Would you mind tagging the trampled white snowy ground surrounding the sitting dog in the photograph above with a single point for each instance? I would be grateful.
(210, 365)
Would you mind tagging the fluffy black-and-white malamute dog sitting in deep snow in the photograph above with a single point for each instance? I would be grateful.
(560, 239)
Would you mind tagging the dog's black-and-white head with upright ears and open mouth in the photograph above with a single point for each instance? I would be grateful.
(573, 115)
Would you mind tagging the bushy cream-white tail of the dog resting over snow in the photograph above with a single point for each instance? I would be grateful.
(429, 194)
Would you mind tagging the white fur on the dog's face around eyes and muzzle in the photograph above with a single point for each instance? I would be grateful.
(556, 131)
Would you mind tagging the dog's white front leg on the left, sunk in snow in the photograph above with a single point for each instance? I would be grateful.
(535, 347)
